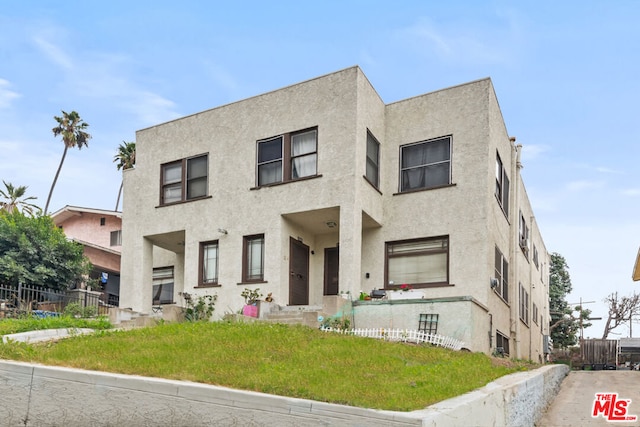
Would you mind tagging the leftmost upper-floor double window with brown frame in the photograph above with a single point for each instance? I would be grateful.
(184, 180)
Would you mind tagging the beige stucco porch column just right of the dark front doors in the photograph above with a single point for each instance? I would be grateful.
(351, 250)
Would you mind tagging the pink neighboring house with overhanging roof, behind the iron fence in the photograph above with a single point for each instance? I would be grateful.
(100, 233)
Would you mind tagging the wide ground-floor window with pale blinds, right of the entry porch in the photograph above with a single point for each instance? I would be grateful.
(418, 262)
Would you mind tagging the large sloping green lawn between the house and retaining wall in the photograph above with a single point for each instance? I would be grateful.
(293, 361)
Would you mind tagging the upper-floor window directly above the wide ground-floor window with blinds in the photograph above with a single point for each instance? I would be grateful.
(425, 164)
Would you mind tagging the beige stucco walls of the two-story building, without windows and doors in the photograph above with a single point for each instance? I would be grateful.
(343, 106)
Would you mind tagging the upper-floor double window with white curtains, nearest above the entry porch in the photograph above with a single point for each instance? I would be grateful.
(287, 157)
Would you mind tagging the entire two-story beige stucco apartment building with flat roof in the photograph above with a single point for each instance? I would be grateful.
(320, 188)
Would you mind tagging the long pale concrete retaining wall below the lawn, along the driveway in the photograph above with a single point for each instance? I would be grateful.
(36, 395)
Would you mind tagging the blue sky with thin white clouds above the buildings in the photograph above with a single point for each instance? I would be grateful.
(565, 73)
